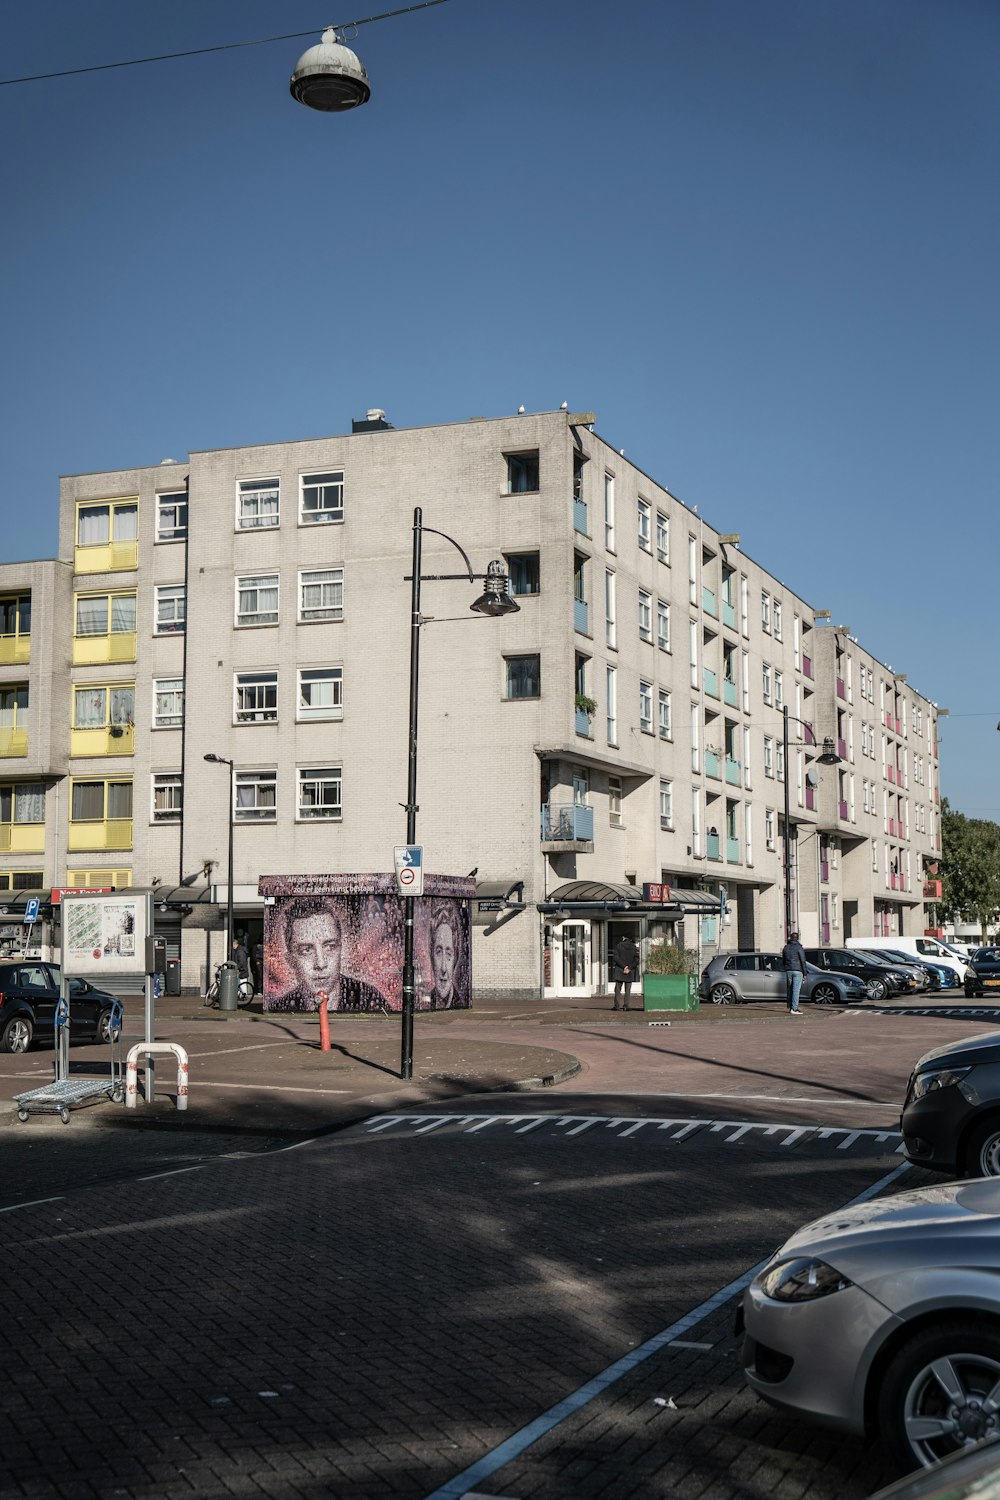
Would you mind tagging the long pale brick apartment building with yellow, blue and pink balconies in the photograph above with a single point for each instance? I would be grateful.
(609, 758)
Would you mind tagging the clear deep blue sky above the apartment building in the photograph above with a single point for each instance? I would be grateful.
(759, 238)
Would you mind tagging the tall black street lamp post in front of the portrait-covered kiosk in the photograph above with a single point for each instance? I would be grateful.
(496, 601)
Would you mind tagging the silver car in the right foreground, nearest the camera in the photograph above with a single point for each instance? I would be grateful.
(885, 1318)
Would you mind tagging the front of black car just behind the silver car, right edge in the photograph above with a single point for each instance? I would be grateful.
(951, 1117)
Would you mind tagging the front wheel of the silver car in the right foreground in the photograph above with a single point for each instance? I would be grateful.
(935, 1394)
